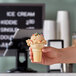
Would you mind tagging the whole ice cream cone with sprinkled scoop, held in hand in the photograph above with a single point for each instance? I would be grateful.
(36, 42)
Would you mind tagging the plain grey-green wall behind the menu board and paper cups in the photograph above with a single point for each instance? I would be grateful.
(51, 8)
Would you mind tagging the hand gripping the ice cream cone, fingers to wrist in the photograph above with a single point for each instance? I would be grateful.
(49, 56)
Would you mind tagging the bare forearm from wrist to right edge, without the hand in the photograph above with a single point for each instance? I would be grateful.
(67, 55)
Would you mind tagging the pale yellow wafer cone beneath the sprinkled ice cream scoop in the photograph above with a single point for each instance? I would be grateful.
(37, 52)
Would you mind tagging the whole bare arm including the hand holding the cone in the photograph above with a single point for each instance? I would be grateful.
(52, 55)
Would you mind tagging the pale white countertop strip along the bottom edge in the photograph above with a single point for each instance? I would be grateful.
(38, 74)
